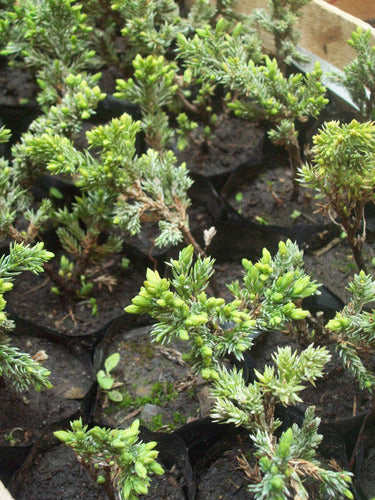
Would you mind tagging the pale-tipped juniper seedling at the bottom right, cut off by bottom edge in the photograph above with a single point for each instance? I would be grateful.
(285, 462)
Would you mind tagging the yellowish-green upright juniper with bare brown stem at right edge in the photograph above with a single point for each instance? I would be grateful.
(342, 172)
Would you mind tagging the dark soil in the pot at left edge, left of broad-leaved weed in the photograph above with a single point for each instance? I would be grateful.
(25, 415)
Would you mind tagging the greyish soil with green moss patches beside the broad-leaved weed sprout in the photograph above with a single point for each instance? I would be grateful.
(156, 384)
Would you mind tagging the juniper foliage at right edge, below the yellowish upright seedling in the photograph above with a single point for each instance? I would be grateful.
(354, 330)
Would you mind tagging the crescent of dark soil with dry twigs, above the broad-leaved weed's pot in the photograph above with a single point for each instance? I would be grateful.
(114, 288)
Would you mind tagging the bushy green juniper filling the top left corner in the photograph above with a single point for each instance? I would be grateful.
(32, 31)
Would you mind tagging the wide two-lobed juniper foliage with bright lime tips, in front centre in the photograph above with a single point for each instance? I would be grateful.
(213, 327)
